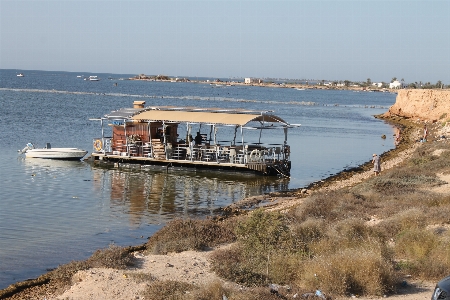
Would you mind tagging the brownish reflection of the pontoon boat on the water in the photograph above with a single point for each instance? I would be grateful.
(143, 193)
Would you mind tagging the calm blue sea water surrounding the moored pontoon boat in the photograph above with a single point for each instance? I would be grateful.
(53, 212)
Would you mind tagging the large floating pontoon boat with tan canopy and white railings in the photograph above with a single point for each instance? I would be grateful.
(162, 135)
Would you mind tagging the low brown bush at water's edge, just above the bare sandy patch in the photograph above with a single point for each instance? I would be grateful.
(182, 235)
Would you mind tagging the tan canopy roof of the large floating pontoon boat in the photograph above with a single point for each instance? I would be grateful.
(218, 116)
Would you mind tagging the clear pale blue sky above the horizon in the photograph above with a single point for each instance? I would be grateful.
(297, 39)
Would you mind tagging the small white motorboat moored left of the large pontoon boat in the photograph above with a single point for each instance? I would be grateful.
(53, 153)
